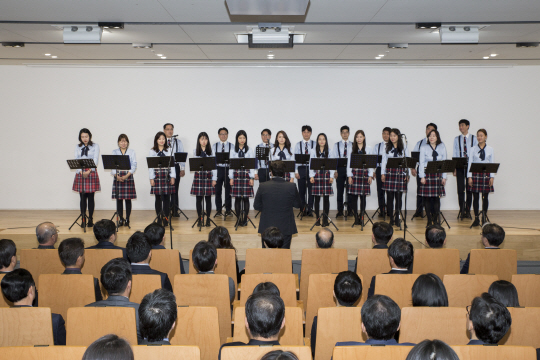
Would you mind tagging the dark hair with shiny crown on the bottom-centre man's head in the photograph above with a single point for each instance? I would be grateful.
(264, 313)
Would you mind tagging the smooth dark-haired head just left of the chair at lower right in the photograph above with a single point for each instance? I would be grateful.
(429, 290)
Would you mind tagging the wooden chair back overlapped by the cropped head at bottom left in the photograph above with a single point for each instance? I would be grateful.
(86, 324)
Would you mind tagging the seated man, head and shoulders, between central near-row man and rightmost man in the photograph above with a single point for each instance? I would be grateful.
(381, 320)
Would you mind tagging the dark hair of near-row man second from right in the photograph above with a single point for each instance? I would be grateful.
(381, 317)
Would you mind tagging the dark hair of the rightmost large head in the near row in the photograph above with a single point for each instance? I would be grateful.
(491, 319)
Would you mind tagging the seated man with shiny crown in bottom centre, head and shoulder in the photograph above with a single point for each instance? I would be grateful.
(265, 317)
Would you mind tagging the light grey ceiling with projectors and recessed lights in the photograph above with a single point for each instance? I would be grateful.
(338, 32)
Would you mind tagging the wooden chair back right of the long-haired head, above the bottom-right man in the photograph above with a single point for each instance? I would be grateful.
(462, 289)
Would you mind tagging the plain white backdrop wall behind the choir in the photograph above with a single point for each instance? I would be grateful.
(43, 110)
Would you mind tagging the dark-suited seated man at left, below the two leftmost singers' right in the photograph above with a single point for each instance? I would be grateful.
(139, 253)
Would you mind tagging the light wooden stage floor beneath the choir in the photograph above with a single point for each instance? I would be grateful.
(522, 233)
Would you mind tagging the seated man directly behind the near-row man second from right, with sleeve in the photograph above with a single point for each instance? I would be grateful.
(347, 292)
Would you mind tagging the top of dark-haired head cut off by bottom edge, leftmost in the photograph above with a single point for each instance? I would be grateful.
(109, 347)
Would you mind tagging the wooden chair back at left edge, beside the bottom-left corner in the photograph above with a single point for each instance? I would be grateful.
(25, 327)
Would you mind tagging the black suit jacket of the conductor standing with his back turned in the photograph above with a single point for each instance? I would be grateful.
(275, 199)
